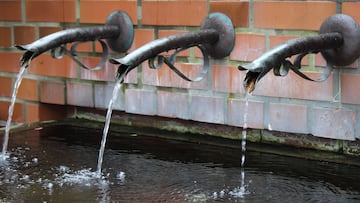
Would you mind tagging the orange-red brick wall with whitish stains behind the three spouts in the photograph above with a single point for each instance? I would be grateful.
(290, 104)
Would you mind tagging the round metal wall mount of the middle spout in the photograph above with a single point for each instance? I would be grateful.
(224, 26)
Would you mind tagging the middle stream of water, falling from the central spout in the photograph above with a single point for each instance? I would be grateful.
(107, 125)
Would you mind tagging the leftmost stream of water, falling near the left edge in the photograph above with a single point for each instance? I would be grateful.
(11, 110)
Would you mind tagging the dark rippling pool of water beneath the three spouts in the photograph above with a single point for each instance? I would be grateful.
(58, 164)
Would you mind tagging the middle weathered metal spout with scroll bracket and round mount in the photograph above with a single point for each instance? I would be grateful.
(216, 38)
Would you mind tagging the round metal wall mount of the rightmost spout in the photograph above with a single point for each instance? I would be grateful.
(350, 31)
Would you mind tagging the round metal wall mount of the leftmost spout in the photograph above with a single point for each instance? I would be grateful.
(126, 36)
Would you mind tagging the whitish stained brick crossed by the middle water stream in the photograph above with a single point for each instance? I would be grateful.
(103, 94)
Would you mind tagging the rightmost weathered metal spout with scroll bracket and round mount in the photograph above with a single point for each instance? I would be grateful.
(338, 42)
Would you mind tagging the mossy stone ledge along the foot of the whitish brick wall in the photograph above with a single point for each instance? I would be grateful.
(157, 124)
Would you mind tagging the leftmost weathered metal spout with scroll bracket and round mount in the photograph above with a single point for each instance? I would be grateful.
(118, 33)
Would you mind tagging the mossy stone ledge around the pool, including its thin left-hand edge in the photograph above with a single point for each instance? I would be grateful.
(281, 143)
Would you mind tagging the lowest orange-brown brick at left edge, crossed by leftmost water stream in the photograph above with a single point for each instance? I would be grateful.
(18, 115)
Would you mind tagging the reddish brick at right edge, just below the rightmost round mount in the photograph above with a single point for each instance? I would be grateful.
(349, 88)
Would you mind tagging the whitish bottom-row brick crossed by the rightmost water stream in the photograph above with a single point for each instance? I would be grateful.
(255, 117)
